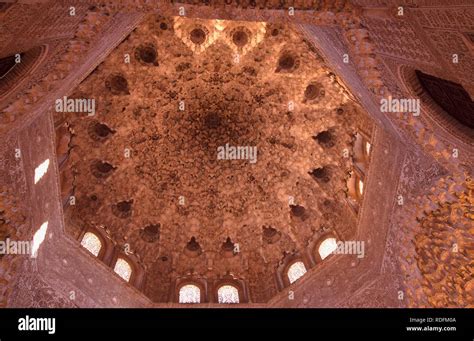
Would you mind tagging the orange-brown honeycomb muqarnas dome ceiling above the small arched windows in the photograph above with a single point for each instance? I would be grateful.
(146, 168)
